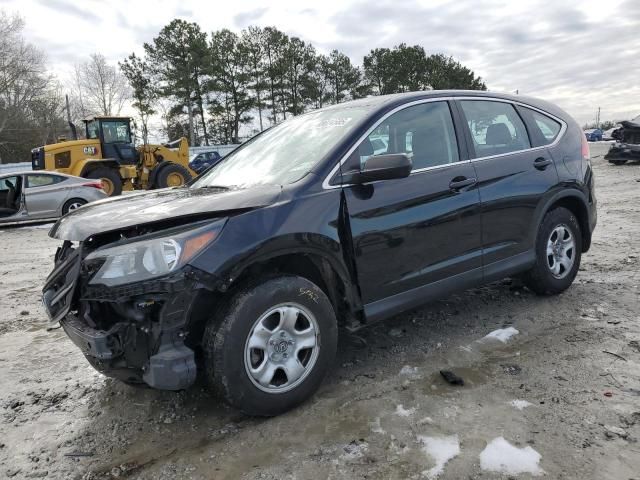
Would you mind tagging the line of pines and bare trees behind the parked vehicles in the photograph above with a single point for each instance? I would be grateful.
(218, 87)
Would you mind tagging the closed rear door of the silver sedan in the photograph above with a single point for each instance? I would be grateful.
(44, 195)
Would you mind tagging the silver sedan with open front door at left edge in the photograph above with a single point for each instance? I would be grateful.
(28, 196)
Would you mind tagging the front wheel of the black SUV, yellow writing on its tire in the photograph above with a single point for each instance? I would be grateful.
(271, 347)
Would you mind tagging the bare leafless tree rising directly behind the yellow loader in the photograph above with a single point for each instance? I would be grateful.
(101, 89)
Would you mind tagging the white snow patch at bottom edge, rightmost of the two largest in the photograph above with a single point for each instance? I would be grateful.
(502, 457)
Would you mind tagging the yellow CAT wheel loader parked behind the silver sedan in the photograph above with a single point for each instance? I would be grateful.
(108, 154)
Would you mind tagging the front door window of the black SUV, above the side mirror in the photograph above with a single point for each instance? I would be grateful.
(423, 131)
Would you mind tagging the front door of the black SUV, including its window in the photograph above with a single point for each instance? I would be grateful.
(417, 231)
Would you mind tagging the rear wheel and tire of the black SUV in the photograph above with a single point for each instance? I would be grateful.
(558, 252)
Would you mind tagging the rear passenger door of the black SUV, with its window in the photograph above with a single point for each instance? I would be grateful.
(513, 176)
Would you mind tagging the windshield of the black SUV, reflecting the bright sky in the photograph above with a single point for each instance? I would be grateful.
(287, 152)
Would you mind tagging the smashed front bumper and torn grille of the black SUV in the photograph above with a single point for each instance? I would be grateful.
(137, 333)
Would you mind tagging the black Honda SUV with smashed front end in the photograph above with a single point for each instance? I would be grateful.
(335, 218)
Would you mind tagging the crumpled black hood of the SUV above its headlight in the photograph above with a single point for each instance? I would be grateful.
(147, 207)
